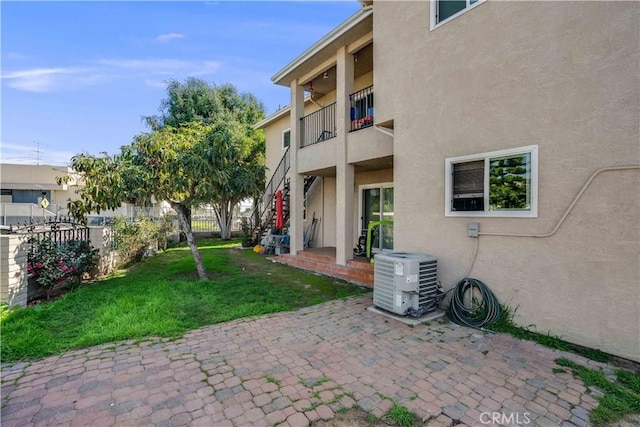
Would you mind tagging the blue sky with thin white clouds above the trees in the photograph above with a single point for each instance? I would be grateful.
(78, 76)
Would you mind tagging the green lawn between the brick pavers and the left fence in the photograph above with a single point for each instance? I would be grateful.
(161, 297)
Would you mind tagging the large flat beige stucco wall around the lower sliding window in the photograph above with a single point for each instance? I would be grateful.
(562, 75)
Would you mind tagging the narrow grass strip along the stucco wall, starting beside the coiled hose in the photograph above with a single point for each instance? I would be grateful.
(505, 324)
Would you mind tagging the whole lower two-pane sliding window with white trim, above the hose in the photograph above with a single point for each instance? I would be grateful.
(499, 183)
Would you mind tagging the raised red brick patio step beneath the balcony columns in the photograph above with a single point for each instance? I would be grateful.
(323, 261)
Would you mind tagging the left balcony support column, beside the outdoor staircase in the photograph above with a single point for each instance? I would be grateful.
(296, 198)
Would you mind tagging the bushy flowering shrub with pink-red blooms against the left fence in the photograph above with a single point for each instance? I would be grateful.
(55, 264)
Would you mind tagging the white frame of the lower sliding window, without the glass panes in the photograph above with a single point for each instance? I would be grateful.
(532, 150)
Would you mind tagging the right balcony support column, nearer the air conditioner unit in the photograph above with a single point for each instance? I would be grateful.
(345, 173)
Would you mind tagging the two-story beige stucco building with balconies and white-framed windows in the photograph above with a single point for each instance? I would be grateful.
(523, 117)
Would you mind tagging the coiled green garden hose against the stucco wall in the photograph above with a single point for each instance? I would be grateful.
(473, 304)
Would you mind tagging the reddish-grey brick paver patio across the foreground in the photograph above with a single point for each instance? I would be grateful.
(297, 367)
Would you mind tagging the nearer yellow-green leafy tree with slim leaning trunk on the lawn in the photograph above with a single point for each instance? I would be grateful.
(177, 165)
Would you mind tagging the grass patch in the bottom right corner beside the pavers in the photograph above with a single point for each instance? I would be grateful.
(620, 397)
